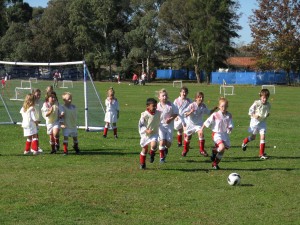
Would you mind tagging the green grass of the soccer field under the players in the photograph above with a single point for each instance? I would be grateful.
(104, 185)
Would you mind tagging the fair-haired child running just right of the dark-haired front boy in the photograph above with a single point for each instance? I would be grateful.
(168, 113)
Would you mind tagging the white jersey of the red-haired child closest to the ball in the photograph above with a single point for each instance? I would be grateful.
(219, 122)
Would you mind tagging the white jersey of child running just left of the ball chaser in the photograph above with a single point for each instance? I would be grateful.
(196, 117)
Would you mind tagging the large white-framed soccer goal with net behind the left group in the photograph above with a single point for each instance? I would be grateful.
(73, 74)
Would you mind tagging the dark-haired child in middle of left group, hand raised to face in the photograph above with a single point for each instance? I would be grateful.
(50, 112)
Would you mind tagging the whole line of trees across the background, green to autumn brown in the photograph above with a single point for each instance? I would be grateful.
(126, 36)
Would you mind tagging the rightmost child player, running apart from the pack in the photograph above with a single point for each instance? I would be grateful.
(259, 111)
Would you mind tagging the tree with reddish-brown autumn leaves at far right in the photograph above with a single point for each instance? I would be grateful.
(275, 28)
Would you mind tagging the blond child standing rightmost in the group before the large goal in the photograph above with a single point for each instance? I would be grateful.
(69, 116)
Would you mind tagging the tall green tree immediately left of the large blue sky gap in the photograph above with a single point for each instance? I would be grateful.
(204, 27)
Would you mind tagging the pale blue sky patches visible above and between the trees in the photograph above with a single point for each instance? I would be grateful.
(246, 9)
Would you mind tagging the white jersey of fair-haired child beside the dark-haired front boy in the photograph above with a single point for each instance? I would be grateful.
(167, 111)
